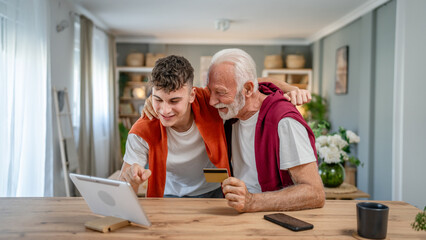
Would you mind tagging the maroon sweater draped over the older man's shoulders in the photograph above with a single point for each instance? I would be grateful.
(267, 148)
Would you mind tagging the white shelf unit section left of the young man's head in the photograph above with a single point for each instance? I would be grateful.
(133, 93)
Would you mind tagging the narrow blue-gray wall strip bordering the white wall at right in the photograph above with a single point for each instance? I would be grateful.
(383, 99)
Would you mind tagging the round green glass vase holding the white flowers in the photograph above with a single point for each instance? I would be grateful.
(332, 174)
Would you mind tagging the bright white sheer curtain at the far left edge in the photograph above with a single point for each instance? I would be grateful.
(24, 90)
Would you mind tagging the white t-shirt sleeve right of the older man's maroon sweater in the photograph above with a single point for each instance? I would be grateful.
(295, 147)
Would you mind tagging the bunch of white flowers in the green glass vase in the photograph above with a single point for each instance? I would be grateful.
(335, 148)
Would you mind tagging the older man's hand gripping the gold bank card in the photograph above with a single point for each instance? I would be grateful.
(236, 193)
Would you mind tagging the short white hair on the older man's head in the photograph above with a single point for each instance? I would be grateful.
(244, 66)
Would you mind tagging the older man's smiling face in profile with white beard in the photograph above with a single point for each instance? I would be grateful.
(223, 91)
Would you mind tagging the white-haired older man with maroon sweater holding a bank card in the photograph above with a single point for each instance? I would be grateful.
(273, 149)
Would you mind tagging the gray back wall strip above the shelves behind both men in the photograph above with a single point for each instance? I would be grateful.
(194, 52)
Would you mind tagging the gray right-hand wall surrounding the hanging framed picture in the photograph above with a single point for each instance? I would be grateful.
(365, 109)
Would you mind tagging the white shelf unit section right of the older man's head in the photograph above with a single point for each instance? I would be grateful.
(302, 78)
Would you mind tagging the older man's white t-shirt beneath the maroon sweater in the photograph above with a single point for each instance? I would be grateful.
(295, 149)
